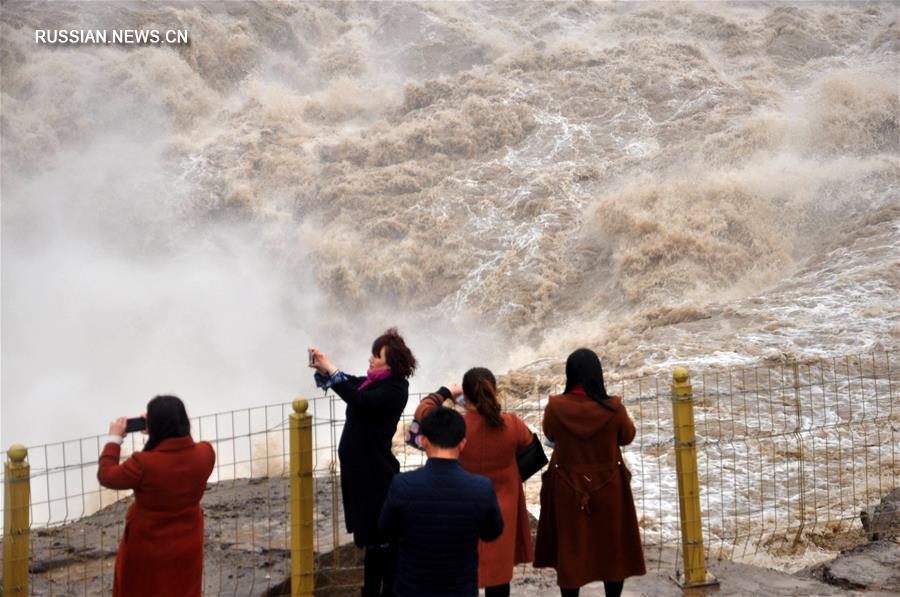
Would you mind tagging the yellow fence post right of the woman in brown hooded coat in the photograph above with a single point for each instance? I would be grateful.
(695, 573)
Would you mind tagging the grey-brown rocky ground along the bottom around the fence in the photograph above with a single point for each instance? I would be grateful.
(247, 553)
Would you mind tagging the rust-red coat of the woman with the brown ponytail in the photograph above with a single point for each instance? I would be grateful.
(491, 452)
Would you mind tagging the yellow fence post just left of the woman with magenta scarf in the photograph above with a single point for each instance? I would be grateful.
(302, 579)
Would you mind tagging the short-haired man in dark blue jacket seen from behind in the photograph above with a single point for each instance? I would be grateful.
(438, 513)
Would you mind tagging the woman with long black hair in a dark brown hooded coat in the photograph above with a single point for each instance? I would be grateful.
(588, 526)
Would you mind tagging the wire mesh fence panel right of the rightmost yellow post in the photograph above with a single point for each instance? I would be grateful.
(790, 453)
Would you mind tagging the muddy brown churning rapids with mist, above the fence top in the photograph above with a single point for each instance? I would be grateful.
(708, 184)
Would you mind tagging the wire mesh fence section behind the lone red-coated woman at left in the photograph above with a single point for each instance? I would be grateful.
(76, 524)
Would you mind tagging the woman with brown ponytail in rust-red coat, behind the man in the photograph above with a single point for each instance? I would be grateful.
(493, 439)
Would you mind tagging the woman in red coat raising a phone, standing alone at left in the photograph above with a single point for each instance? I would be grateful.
(161, 551)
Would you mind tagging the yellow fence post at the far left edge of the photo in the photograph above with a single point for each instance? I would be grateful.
(16, 528)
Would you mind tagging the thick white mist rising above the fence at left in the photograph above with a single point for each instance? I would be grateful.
(110, 297)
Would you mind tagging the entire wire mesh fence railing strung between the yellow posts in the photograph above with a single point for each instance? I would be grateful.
(787, 456)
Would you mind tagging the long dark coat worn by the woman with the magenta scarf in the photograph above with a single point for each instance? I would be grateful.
(367, 463)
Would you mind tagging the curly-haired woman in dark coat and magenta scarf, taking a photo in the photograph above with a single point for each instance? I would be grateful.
(374, 406)
